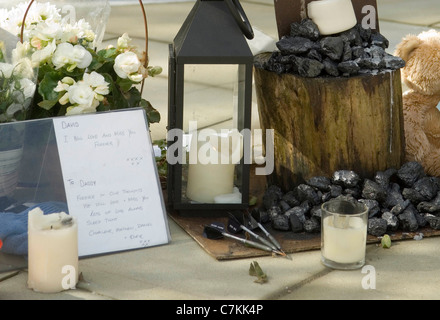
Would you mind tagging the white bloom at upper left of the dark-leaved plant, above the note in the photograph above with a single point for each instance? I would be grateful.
(67, 55)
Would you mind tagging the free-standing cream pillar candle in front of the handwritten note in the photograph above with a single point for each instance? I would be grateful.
(52, 251)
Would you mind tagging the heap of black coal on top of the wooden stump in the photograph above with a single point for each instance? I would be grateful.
(356, 51)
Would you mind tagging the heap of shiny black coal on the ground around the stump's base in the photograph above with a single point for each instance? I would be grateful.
(404, 199)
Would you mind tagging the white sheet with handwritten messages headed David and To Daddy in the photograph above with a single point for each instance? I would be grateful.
(111, 181)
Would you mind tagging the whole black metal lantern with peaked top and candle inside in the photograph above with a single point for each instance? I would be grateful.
(210, 74)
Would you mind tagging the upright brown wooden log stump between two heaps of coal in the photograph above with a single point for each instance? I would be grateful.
(331, 123)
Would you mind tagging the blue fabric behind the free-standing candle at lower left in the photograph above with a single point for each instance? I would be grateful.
(14, 227)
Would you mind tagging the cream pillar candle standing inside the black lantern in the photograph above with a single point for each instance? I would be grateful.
(211, 168)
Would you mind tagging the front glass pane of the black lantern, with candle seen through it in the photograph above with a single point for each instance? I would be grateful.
(212, 104)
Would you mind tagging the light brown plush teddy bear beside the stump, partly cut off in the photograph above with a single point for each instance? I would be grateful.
(421, 75)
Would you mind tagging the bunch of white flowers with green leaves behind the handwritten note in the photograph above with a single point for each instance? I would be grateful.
(72, 77)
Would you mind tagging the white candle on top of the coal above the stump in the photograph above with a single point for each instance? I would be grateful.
(332, 16)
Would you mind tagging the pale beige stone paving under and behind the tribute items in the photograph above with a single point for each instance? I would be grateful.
(182, 270)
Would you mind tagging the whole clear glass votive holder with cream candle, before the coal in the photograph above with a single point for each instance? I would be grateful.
(343, 234)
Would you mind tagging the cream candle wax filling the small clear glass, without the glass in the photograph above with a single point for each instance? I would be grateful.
(344, 245)
